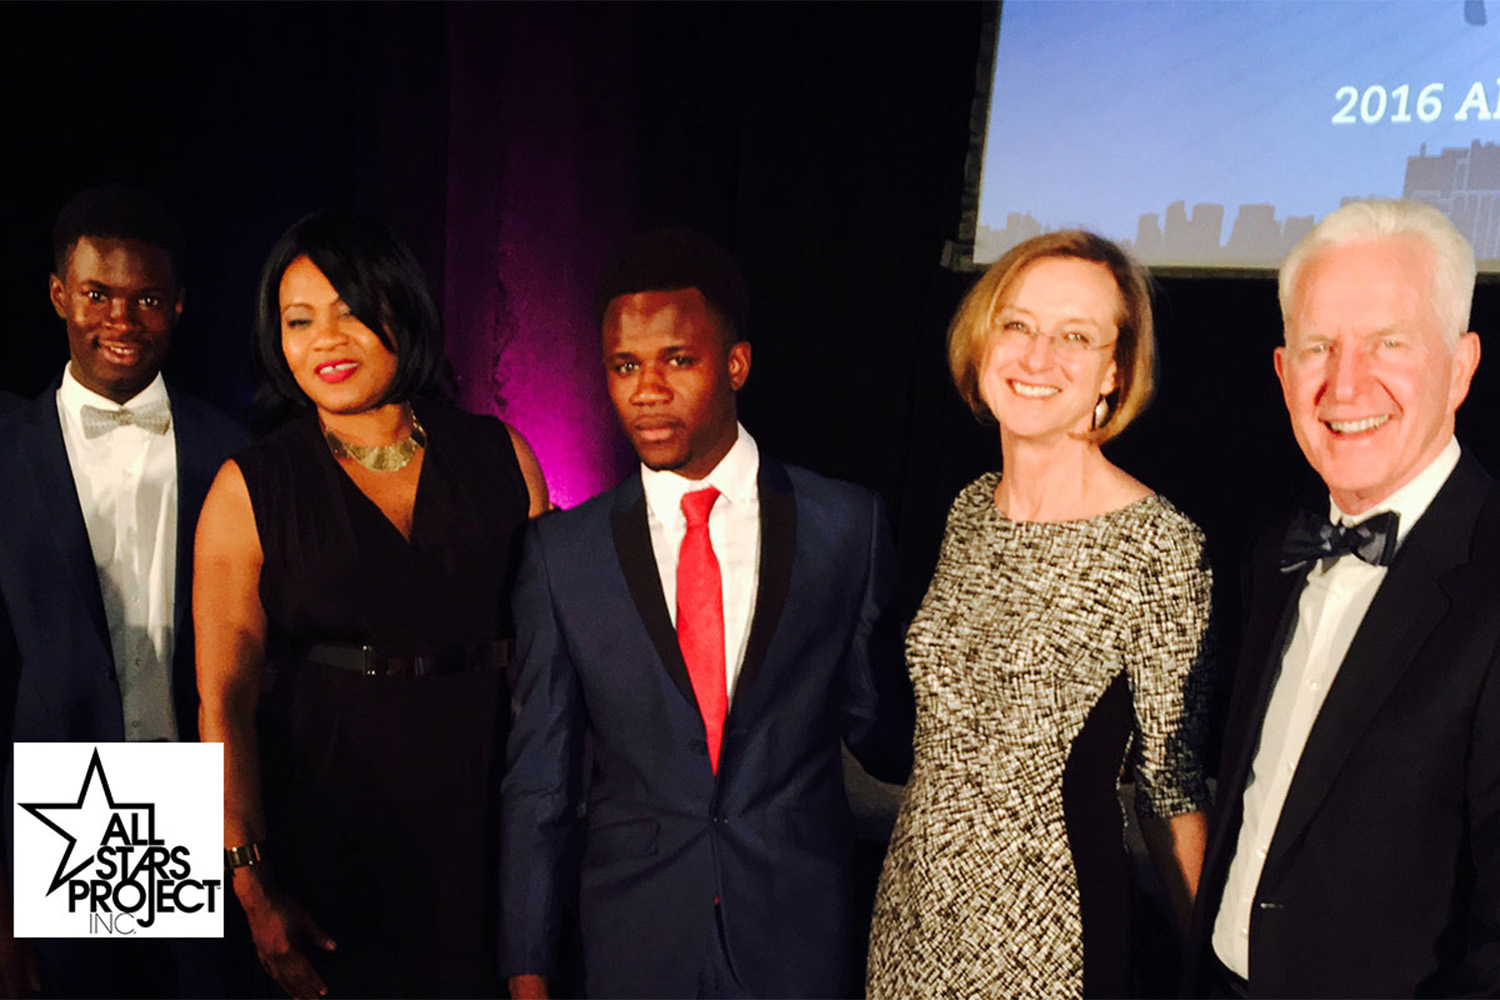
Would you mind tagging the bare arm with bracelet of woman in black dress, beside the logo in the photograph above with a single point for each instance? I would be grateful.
(230, 629)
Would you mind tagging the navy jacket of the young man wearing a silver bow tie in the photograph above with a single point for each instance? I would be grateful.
(58, 678)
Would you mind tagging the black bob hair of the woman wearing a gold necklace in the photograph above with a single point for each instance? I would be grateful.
(380, 281)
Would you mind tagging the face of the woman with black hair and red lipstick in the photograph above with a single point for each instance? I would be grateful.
(338, 362)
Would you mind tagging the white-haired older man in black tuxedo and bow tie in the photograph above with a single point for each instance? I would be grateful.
(1358, 845)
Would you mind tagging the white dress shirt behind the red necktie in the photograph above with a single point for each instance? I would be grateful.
(734, 528)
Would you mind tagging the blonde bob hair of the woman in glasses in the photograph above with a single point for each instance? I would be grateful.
(1135, 349)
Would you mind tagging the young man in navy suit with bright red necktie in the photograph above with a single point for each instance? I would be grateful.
(710, 630)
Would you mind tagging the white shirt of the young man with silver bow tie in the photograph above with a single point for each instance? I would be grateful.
(127, 482)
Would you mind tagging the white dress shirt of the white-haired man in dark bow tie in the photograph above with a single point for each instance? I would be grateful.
(1333, 605)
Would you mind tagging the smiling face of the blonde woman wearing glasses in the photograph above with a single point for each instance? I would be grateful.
(1034, 389)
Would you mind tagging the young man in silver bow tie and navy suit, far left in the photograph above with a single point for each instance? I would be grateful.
(106, 475)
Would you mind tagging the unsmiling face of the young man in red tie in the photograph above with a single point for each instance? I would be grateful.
(673, 379)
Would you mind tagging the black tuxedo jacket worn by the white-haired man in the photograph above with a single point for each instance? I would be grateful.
(1384, 873)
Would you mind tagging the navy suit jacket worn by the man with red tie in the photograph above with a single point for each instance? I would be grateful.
(662, 836)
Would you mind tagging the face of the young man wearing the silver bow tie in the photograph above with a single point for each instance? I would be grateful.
(119, 301)
